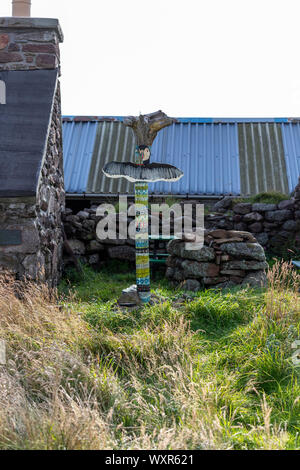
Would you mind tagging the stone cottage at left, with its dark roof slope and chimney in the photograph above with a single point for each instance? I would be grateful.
(31, 161)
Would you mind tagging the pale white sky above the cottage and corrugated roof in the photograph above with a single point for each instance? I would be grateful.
(204, 58)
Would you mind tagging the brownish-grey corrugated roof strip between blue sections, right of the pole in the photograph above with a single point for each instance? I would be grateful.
(262, 161)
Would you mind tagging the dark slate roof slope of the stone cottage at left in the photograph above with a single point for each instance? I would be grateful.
(24, 122)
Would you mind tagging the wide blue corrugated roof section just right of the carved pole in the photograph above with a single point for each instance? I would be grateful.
(206, 153)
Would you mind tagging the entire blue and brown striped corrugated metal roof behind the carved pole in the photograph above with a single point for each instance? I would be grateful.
(217, 155)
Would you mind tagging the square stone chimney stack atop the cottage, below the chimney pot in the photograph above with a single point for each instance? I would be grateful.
(21, 48)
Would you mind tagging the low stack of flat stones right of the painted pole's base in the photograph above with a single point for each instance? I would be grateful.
(226, 259)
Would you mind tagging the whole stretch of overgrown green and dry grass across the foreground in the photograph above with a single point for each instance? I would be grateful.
(211, 370)
